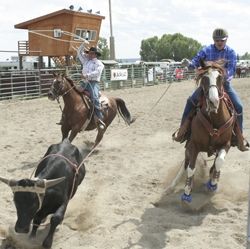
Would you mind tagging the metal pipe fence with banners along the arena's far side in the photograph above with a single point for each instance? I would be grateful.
(36, 83)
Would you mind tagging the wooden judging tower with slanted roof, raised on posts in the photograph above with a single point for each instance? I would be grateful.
(58, 34)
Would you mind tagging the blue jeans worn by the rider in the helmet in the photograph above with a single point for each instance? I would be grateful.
(194, 98)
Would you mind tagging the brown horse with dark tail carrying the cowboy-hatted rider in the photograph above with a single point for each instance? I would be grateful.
(78, 111)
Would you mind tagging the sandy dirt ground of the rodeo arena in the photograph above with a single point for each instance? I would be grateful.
(125, 200)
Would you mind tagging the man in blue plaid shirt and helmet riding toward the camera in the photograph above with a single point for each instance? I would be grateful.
(217, 51)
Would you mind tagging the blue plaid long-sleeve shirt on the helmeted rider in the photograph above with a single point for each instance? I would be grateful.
(211, 53)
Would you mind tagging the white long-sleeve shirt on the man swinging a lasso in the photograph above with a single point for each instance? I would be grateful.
(92, 68)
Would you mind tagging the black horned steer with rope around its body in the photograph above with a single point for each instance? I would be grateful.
(57, 178)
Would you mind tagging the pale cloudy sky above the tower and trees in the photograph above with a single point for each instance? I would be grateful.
(135, 20)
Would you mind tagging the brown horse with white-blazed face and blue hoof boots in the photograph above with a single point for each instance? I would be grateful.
(211, 128)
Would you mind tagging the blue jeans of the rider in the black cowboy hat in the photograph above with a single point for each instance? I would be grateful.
(93, 88)
